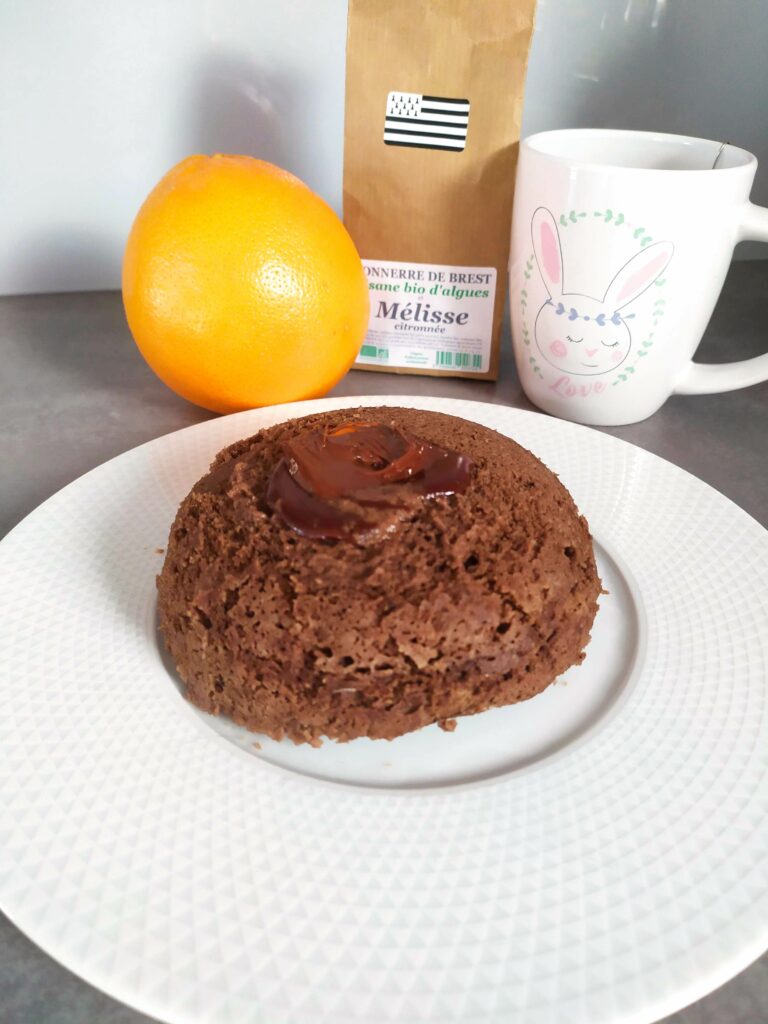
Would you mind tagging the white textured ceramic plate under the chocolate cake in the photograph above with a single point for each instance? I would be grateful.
(595, 856)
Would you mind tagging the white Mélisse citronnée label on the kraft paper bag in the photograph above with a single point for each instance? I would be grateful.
(430, 317)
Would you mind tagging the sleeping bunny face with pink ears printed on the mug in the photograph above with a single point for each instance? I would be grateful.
(580, 334)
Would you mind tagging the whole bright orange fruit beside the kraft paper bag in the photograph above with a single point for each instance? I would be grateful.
(242, 287)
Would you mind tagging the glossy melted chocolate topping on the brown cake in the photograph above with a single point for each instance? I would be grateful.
(358, 482)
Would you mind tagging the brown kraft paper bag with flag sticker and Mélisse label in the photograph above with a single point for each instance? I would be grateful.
(435, 93)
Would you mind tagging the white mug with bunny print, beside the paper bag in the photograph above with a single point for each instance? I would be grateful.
(621, 244)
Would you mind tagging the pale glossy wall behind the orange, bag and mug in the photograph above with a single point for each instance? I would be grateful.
(100, 98)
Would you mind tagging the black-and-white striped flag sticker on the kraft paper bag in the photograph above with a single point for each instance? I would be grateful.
(426, 122)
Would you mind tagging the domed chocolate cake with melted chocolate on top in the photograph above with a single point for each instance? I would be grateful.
(369, 572)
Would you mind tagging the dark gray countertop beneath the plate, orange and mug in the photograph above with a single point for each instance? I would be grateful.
(74, 392)
